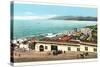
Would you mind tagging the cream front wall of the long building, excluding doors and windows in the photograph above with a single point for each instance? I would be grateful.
(65, 47)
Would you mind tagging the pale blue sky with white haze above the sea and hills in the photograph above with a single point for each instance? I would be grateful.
(35, 11)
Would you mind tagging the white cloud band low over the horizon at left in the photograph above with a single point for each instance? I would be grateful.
(33, 17)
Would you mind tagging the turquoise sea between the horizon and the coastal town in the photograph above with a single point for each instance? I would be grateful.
(25, 28)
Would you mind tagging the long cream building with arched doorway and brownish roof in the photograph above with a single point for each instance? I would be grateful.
(50, 46)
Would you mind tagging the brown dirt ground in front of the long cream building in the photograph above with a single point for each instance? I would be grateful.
(32, 56)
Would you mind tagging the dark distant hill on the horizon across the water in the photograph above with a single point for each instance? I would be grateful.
(80, 18)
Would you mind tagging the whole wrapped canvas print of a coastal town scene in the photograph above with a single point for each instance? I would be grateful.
(44, 32)
